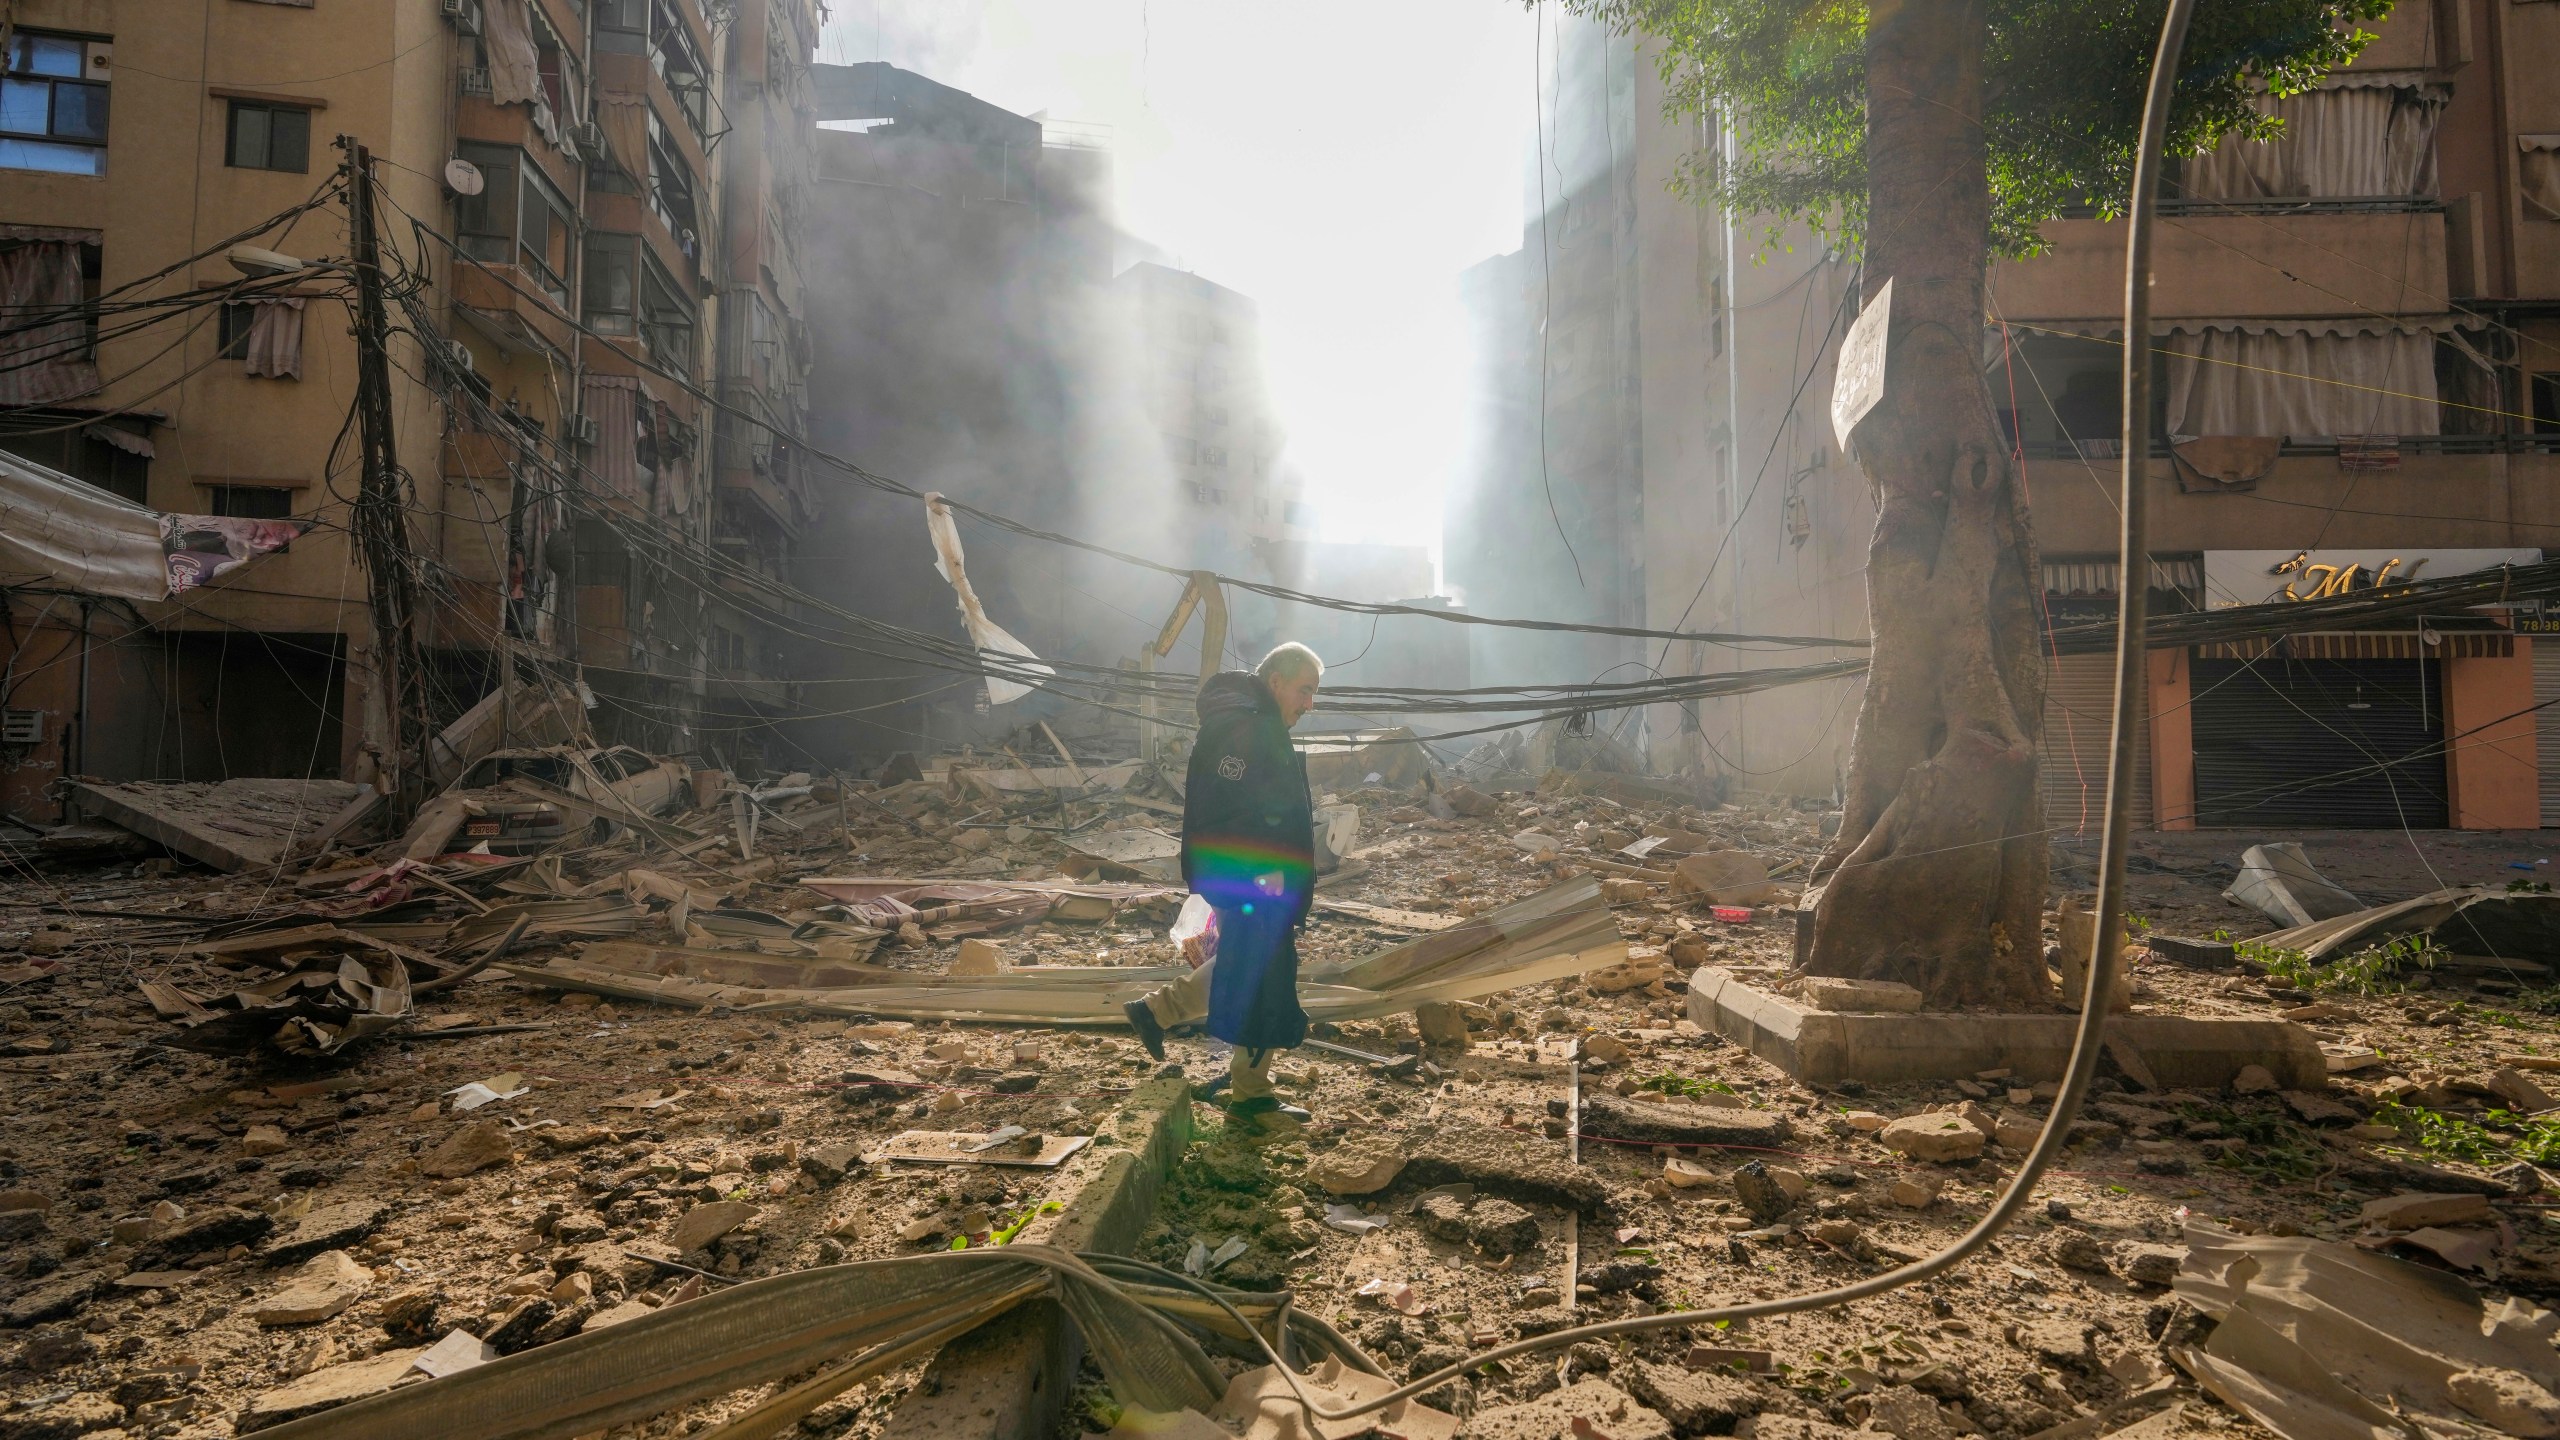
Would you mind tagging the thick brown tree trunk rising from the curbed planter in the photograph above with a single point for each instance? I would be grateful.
(1939, 875)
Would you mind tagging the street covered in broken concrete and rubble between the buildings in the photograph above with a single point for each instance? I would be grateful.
(372, 1190)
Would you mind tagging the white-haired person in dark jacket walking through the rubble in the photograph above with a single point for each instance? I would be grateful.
(1248, 849)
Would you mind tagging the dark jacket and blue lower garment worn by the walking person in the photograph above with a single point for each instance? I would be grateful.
(1251, 849)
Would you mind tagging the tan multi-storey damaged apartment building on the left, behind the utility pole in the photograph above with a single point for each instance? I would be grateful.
(590, 219)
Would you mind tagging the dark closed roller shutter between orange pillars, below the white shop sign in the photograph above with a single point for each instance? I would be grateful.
(2321, 744)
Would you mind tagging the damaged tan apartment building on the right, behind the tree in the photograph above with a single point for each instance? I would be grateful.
(2356, 380)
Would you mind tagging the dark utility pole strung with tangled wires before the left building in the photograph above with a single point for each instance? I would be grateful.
(383, 516)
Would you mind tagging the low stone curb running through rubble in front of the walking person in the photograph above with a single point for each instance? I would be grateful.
(1012, 1375)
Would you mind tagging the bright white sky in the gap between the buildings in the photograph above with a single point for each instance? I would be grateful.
(1335, 160)
